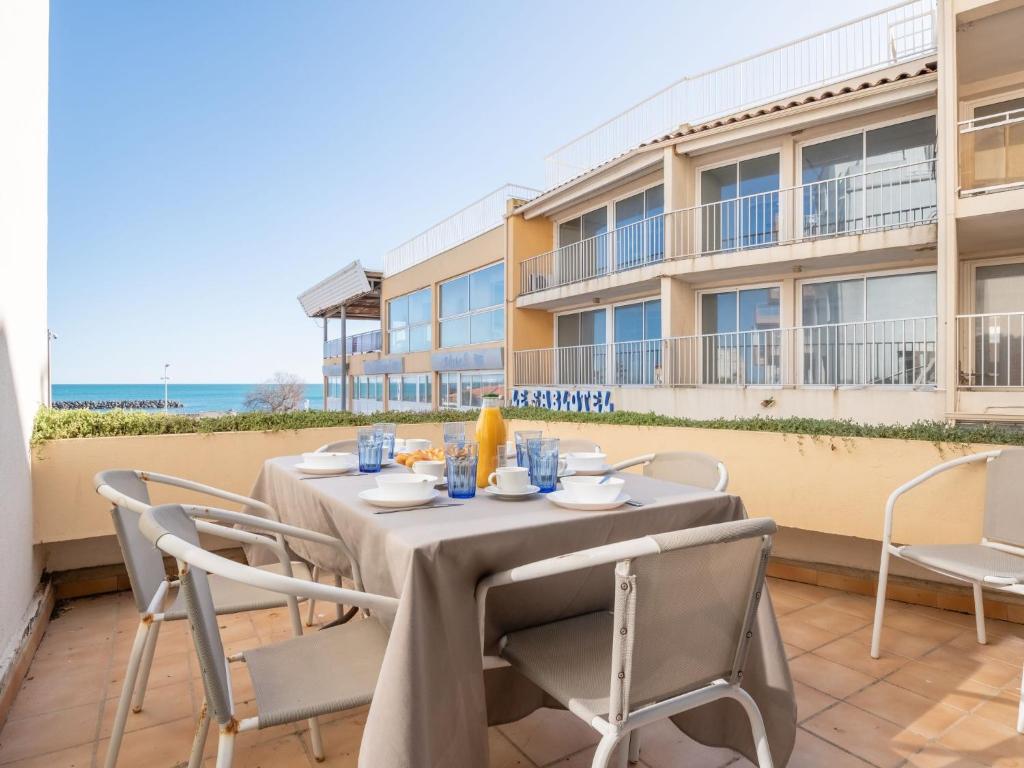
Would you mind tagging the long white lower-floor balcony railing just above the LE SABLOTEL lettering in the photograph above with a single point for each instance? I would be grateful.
(900, 353)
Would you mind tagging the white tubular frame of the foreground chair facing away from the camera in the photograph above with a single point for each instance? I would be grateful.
(613, 734)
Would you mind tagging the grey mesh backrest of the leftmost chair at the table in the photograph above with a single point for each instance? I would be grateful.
(143, 561)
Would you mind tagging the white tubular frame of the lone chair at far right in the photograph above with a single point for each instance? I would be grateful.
(890, 550)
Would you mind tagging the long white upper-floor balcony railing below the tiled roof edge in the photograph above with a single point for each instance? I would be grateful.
(886, 199)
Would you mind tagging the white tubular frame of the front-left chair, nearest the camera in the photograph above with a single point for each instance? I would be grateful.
(188, 556)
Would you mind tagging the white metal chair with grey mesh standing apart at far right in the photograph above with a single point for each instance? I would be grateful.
(998, 563)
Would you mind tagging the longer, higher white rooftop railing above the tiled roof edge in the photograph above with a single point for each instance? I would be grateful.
(872, 42)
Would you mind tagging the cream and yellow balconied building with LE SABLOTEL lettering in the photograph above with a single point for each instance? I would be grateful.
(834, 229)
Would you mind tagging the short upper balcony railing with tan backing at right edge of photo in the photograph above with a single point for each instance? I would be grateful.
(992, 152)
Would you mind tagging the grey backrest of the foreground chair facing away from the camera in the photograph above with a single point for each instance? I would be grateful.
(684, 616)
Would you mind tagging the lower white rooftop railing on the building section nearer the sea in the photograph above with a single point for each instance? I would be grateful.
(477, 219)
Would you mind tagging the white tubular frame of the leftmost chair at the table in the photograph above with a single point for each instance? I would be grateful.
(145, 646)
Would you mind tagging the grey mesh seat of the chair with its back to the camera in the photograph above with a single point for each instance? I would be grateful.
(570, 660)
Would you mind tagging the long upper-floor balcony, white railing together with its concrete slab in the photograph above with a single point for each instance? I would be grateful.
(870, 216)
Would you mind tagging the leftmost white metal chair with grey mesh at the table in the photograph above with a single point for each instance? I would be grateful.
(127, 492)
